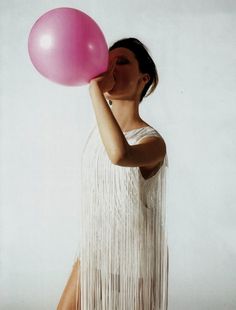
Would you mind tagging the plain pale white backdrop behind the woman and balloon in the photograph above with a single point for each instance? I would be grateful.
(44, 126)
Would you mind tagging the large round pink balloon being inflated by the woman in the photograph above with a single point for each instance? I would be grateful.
(67, 46)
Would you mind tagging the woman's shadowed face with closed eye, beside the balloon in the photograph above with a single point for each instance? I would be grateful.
(129, 81)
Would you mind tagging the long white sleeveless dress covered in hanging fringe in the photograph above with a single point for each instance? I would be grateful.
(123, 240)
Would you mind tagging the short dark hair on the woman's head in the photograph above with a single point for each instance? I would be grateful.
(146, 64)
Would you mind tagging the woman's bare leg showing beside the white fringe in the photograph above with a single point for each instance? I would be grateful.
(68, 298)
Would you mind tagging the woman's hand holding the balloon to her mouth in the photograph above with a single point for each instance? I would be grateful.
(106, 80)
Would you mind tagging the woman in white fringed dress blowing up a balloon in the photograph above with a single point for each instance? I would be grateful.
(123, 259)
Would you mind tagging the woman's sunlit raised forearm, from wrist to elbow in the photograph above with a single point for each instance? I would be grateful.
(110, 132)
